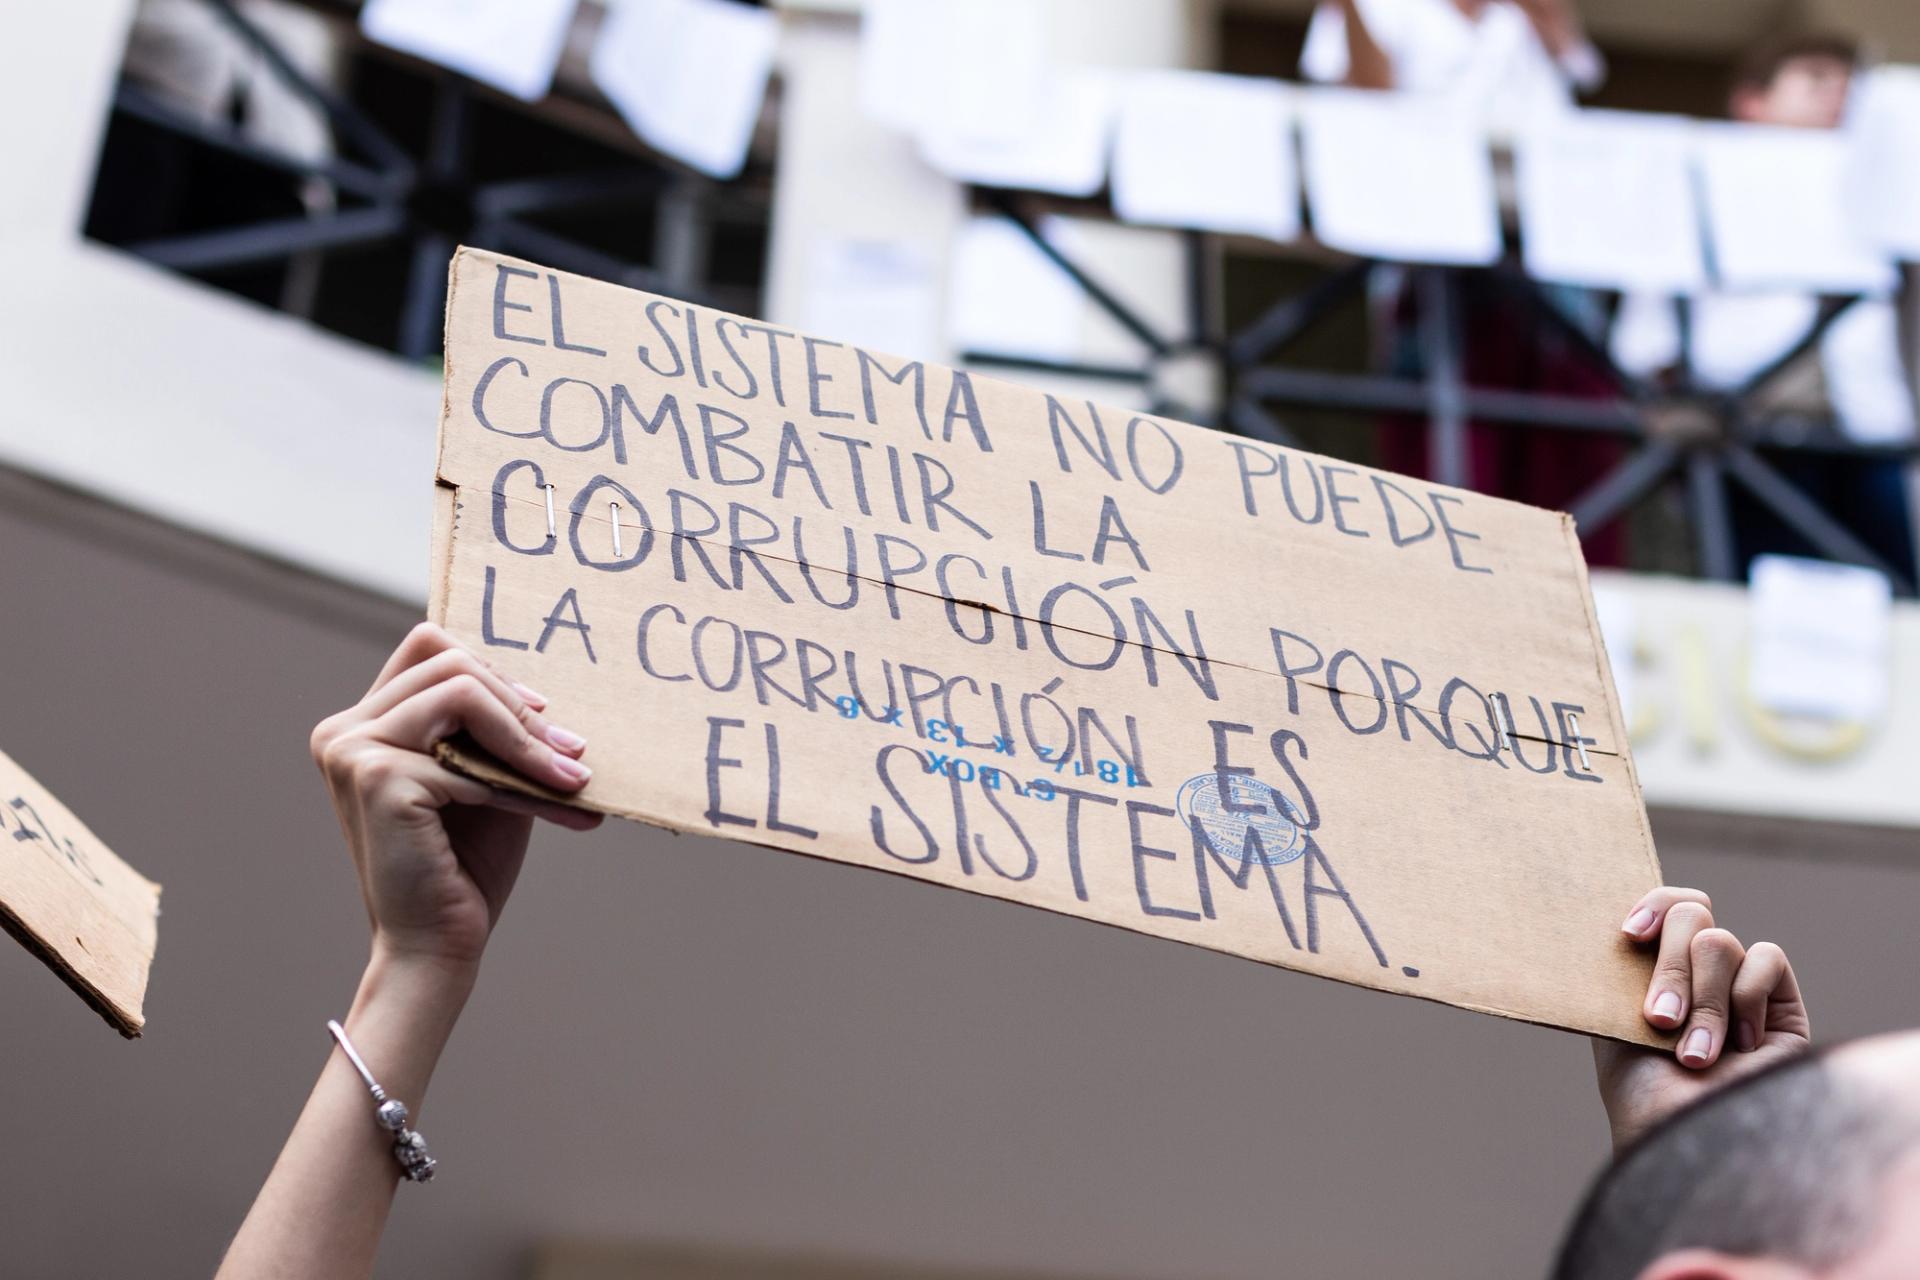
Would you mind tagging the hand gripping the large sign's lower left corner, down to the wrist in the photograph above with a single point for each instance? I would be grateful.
(439, 853)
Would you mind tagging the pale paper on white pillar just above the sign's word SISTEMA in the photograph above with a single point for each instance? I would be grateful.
(876, 295)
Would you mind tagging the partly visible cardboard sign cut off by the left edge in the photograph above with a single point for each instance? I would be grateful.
(72, 903)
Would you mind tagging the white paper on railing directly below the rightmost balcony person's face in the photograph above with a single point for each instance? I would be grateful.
(1777, 212)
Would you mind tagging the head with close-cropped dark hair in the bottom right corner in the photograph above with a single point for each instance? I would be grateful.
(1806, 1170)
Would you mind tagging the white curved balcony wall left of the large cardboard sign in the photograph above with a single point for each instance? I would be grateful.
(172, 398)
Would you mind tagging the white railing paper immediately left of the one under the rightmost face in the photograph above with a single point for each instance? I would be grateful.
(1606, 201)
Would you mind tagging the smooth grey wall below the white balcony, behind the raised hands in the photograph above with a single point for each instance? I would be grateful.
(700, 1041)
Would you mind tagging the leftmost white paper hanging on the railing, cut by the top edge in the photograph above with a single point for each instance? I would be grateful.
(512, 45)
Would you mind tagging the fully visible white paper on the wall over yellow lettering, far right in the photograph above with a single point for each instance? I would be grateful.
(1821, 638)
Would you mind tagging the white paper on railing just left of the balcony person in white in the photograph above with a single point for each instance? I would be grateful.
(1207, 151)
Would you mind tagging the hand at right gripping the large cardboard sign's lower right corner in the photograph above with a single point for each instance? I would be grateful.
(1737, 1008)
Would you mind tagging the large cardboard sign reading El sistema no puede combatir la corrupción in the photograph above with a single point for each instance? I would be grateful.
(1122, 669)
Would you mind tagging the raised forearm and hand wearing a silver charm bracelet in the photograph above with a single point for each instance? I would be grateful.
(437, 857)
